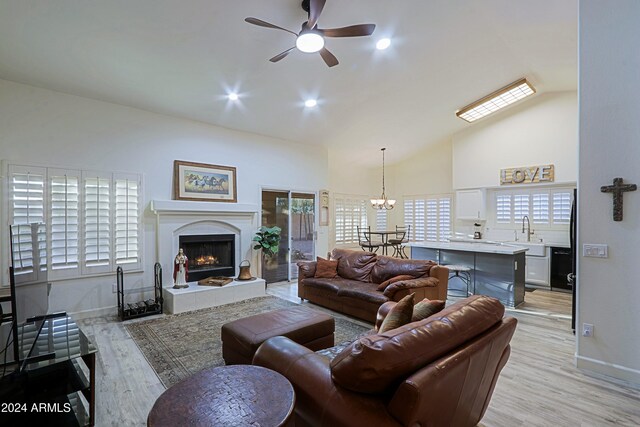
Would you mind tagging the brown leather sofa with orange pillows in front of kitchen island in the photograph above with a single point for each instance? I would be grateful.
(354, 291)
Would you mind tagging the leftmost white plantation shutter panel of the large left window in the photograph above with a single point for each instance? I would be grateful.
(27, 193)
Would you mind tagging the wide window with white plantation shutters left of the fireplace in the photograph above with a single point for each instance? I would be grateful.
(90, 220)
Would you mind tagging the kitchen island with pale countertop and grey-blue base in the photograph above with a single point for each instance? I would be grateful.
(497, 270)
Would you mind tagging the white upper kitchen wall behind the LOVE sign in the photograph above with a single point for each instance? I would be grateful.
(541, 130)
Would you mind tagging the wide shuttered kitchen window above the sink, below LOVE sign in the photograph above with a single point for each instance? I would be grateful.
(543, 206)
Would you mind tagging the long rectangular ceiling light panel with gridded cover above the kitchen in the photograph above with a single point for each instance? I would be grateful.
(496, 101)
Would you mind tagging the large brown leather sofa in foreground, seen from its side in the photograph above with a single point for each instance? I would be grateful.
(440, 371)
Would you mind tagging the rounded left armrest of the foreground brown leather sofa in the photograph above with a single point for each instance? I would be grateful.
(318, 400)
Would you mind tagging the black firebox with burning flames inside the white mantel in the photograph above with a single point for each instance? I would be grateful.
(209, 255)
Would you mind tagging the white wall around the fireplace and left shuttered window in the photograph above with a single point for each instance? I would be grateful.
(49, 128)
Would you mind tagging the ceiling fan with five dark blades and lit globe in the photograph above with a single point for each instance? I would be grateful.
(310, 39)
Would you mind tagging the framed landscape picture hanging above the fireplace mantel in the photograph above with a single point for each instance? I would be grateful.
(203, 182)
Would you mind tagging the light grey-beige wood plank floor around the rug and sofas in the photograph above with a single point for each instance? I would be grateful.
(539, 386)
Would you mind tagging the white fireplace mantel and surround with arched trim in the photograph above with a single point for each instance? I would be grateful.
(180, 217)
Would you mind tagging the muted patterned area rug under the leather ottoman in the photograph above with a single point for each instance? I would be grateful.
(177, 346)
